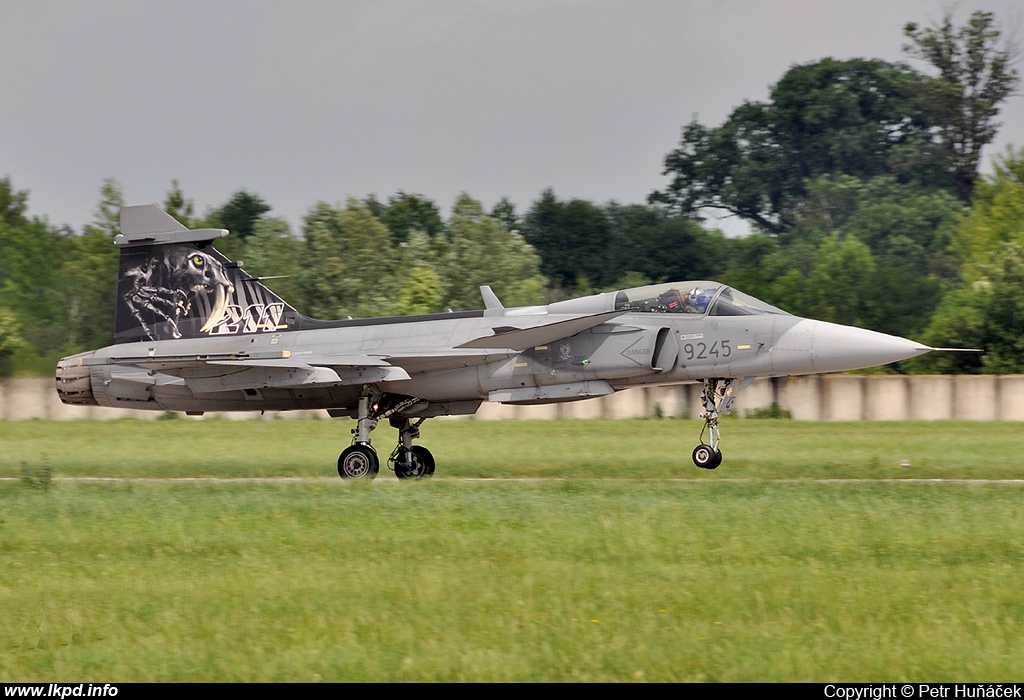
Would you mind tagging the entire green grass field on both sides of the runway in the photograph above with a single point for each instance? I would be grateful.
(632, 565)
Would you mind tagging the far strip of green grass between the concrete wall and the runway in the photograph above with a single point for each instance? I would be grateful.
(543, 449)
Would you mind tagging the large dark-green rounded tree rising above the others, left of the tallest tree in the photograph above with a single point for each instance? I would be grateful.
(829, 117)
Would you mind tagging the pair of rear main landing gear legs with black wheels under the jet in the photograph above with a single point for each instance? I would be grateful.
(408, 461)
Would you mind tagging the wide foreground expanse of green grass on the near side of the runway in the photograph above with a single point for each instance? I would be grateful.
(551, 581)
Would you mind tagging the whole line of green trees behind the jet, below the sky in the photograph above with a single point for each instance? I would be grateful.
(860, 180)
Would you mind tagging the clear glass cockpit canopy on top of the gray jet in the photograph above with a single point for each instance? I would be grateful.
(696, 298)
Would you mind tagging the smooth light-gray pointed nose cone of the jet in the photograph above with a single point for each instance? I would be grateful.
(839, 348)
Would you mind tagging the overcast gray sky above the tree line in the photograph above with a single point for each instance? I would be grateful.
(319, 100)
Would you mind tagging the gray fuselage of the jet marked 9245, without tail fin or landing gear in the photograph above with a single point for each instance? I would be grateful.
(638, 347)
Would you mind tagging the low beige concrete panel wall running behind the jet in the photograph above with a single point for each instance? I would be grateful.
(828, 398)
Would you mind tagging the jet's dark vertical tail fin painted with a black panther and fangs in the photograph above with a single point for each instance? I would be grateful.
(174, 284)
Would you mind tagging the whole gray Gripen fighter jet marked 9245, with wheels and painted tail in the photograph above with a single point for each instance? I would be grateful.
(195, 333)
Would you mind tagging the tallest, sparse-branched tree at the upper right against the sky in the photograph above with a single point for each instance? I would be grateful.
(976, 75)
